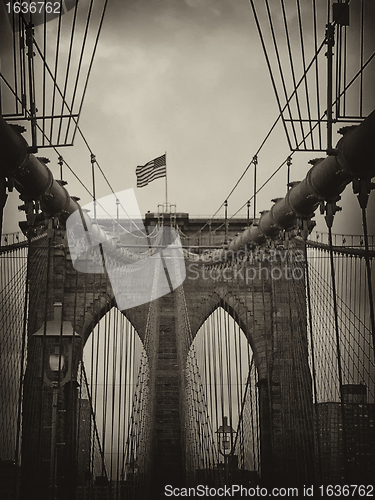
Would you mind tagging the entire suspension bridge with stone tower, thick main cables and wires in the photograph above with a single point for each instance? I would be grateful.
(167, 354)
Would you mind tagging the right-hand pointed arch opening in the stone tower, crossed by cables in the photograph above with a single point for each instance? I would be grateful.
(222, 354)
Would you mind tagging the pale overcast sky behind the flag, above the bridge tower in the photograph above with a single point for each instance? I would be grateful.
(186, 77)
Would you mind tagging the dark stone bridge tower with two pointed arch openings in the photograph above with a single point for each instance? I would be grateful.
(258, 293)
